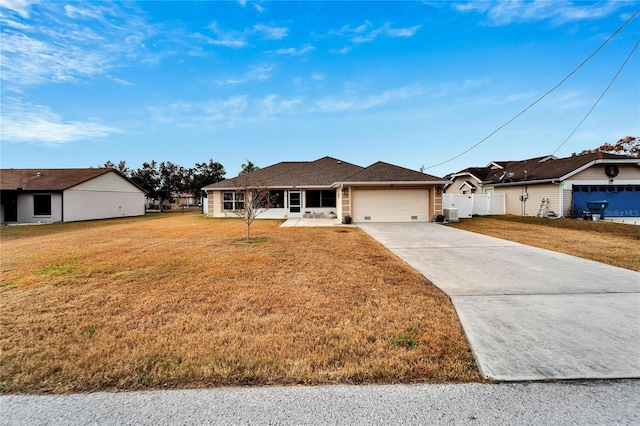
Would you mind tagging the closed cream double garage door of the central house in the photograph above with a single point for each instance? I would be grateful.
(390, 205)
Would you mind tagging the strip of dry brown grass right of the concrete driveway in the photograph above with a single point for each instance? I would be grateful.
(611, 243)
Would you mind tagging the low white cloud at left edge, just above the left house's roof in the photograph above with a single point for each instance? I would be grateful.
(32, 123)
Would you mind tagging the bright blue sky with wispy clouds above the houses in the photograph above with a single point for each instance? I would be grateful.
(410, 83)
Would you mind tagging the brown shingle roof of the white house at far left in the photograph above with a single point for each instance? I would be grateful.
(49, 179)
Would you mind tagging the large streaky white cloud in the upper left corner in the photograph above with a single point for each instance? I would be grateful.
(57, 44)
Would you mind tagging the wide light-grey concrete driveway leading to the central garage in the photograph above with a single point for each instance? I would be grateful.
(529, 314)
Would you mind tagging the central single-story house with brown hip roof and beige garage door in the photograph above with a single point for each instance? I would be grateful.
(381, 192)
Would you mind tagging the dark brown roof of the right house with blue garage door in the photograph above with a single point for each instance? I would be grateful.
(543, 168)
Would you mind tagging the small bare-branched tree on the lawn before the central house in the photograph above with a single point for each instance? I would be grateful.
(254, 197)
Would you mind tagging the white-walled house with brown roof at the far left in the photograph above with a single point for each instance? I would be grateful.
(67, 195)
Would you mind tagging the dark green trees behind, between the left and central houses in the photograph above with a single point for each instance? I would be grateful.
(163, 180)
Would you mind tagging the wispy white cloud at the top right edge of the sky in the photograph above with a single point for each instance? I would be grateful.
(558, 11)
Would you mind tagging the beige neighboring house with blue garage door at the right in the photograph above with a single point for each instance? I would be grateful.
(565, 184)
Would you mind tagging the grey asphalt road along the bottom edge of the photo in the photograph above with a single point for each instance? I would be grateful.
(575, 403)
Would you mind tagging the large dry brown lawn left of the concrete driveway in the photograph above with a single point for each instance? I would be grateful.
(178, 301)
